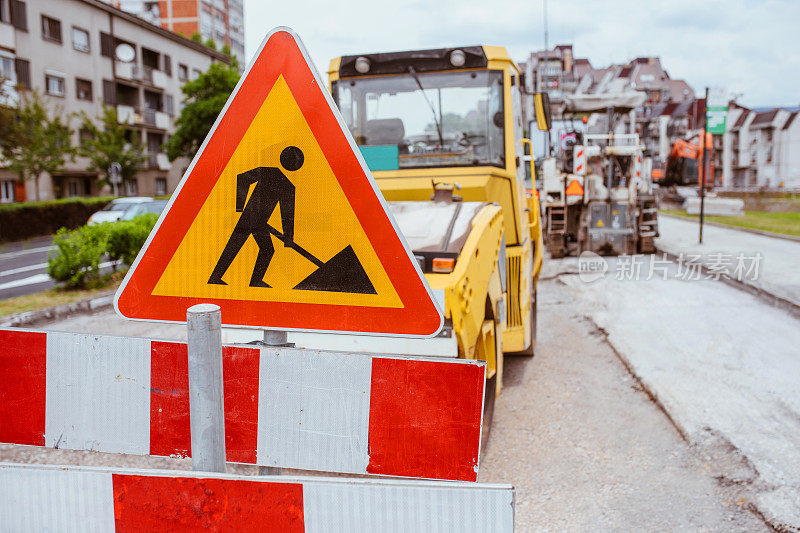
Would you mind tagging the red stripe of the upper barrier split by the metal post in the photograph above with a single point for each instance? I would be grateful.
(169, 401)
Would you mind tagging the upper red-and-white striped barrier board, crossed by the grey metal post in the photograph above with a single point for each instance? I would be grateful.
(290, 408)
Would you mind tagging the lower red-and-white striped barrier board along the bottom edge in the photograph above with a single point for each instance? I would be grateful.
(67, 499)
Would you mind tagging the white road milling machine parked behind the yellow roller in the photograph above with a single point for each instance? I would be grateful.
(597, 192)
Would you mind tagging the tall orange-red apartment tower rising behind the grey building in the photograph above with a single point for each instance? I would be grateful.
(220, 20)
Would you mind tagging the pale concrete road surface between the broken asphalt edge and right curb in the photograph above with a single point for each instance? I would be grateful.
(723, 364)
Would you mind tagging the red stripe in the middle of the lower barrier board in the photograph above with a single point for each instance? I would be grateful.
(152, 503)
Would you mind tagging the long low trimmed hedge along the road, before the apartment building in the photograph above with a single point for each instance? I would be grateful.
(30, 219)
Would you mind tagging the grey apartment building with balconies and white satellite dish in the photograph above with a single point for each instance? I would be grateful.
(84, 54)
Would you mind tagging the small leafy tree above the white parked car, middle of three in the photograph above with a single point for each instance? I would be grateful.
(113, 143)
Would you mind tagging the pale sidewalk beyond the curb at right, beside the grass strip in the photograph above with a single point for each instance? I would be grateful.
(778, 269)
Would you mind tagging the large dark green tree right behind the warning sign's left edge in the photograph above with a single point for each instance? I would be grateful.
(204, 98)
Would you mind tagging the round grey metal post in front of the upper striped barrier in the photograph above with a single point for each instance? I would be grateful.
(206, 412)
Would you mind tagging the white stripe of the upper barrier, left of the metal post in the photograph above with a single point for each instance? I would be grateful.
(98, 393)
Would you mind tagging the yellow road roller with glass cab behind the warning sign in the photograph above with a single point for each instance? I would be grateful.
(442, 132)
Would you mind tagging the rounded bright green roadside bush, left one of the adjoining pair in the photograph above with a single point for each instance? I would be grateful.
(78, 254)
